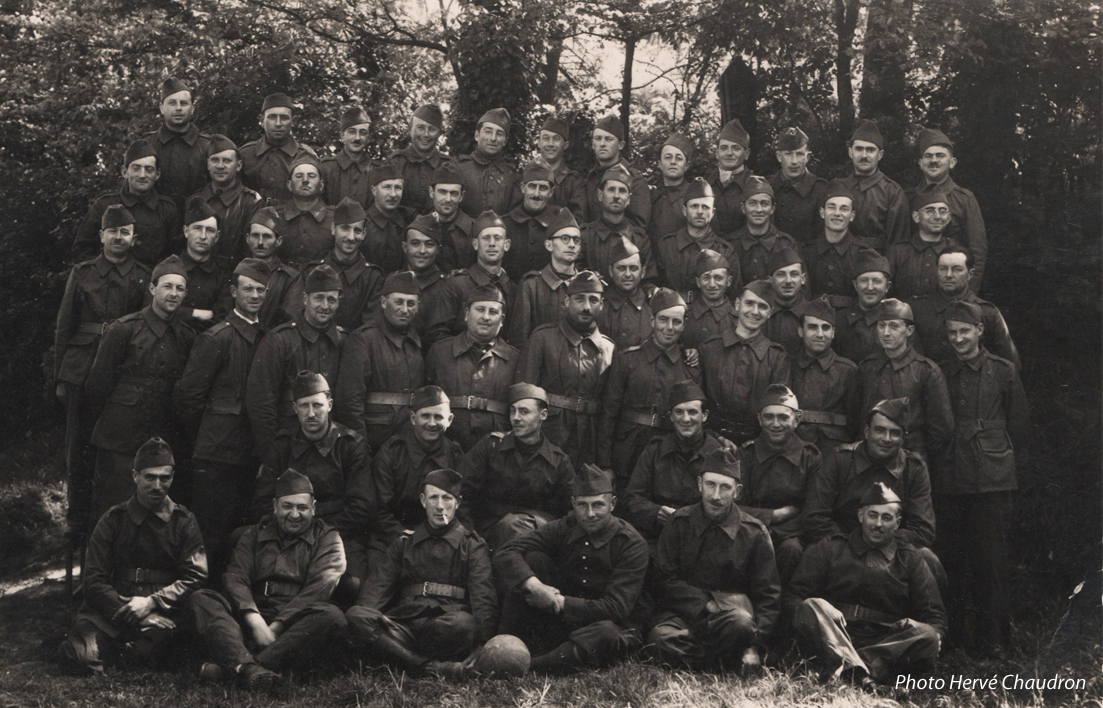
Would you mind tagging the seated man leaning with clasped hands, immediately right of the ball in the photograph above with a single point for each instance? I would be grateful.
(573, 585)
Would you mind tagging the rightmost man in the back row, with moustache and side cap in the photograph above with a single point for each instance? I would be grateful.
(967, 222)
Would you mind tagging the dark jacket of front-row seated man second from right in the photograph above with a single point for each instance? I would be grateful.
(699, 559)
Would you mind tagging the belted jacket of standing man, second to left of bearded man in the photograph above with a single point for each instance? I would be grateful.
(377, 359)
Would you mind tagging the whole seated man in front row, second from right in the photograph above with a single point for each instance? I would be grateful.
(718, 586)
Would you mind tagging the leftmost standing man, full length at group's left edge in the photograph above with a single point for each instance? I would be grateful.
(99, 292)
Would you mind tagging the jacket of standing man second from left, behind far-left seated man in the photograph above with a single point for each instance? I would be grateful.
(138, 361)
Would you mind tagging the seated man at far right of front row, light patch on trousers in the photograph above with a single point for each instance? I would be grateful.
(866, 605)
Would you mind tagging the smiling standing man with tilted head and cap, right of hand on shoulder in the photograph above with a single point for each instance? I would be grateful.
(738, 366)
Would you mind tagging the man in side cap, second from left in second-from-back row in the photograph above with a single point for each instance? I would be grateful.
(231, 201)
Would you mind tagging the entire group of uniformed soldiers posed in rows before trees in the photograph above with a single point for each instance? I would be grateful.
(475, 419)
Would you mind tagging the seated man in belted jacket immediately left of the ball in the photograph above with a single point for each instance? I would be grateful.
(432, 599)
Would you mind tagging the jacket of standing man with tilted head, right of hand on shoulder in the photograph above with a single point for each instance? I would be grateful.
(736, 373)
